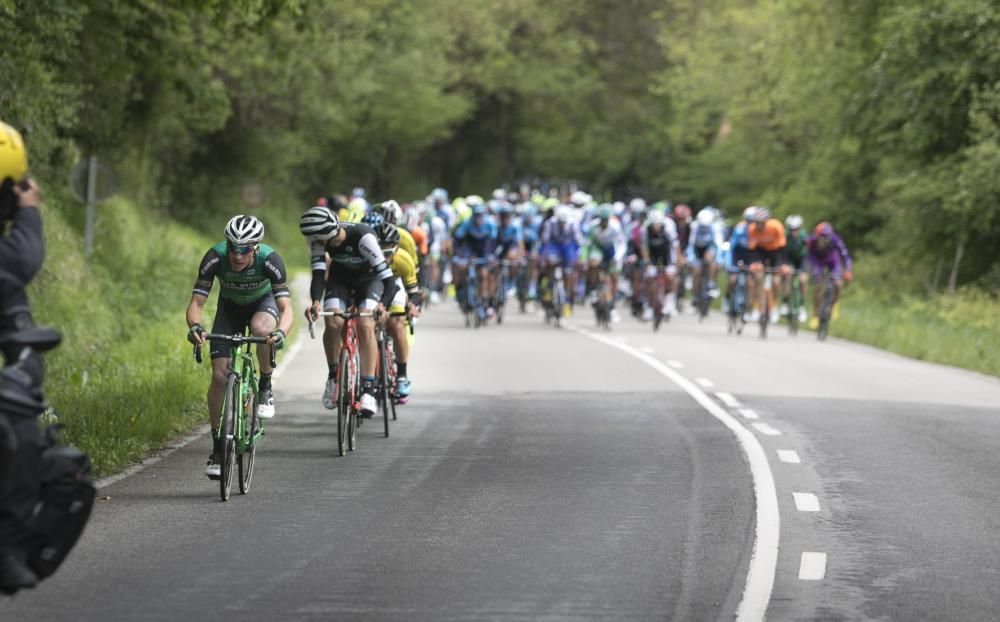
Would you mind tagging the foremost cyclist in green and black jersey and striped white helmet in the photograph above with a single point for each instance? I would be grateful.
(253, 293)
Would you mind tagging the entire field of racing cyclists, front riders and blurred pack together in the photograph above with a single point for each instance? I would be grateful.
(380, 259)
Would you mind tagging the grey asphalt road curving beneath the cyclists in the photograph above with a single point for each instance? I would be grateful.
(543, 473)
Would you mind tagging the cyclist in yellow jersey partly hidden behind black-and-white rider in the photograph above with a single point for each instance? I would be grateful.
(408, 300)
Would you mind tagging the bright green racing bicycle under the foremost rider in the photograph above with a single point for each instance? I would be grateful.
(239, 404)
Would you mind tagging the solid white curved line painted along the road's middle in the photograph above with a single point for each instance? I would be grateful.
(764, 558)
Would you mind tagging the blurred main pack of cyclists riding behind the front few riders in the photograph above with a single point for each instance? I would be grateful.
(653, 255)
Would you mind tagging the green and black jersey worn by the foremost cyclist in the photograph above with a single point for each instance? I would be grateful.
(265, 275)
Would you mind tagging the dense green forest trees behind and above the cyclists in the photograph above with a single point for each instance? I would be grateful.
(881, 115)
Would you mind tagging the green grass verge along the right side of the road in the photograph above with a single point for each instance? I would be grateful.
(960, 330)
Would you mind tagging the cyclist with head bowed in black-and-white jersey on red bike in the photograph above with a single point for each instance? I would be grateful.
(358, 276)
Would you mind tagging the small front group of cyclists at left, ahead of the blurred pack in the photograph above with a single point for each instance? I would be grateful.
(366, 262)
